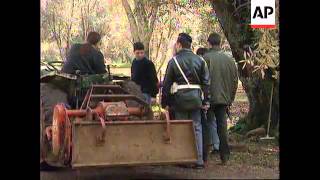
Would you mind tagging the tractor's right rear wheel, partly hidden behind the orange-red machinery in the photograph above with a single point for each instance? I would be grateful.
(135, 89)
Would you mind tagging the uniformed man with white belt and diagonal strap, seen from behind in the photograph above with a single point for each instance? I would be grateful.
(187, 79)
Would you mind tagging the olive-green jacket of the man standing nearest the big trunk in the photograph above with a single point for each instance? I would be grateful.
(223, 76)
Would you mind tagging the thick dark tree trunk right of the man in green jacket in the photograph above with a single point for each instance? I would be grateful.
(258, 90)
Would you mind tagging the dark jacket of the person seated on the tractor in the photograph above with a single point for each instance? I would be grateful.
(89, 63)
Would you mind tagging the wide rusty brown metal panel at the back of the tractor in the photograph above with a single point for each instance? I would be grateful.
(122, 143)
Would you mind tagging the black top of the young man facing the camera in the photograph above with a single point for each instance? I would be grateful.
(144, 74)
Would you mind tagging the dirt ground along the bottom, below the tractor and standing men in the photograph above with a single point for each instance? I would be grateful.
(259, 161)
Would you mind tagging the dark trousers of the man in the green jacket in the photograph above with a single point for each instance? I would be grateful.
(219, 112)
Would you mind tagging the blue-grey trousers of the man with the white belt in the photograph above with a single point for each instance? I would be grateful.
(195, 115)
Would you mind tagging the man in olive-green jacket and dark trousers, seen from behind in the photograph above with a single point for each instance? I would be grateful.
(223, 87)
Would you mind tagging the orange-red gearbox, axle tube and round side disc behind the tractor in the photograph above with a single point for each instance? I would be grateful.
(62, 128)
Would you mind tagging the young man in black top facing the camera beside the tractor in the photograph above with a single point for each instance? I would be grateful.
(144, 73)
